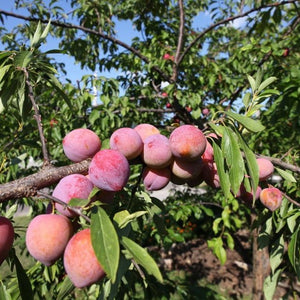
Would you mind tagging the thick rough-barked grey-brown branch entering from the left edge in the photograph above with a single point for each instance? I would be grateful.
(28, 186)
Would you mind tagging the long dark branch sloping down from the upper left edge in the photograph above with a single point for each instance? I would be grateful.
(90, 31)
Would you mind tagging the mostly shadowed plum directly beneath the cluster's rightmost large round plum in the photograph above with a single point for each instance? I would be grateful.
(186, 169)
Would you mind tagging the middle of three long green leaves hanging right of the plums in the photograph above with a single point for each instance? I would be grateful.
(234, 159)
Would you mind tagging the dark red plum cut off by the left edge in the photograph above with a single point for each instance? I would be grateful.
(6, 237)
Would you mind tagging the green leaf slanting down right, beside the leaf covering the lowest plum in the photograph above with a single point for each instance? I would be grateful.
(142, 257)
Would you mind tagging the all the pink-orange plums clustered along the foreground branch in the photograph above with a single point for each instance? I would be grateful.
(185, 157)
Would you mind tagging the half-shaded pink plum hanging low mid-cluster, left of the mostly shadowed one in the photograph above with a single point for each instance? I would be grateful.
(156, 179)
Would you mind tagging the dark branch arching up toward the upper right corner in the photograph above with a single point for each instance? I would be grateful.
(230, 19)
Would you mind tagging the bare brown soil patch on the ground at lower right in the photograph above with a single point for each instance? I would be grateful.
(234, 278)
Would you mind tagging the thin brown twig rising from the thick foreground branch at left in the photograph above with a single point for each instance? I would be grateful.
(38, 118)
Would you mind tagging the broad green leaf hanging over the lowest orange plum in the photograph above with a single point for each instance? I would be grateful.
(105, 242)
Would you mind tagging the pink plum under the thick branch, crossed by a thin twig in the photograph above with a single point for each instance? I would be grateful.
(71, 186)
